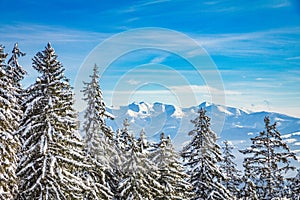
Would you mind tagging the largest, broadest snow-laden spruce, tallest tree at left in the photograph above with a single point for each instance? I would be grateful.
(52, 153)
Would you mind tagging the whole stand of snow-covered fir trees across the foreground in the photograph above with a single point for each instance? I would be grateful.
(43, 156)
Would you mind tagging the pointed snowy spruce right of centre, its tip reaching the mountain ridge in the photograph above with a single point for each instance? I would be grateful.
(201, 156)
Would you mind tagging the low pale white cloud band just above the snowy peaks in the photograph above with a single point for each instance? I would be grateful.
(184, 95)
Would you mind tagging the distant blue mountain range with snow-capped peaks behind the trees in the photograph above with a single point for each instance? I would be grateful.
(229, 123)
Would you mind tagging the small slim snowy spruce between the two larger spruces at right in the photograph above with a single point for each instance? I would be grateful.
(229, 170)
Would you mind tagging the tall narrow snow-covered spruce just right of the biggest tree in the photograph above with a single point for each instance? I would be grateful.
(98, 138)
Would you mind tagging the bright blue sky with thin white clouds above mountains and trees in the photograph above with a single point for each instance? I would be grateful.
(254, 47)
